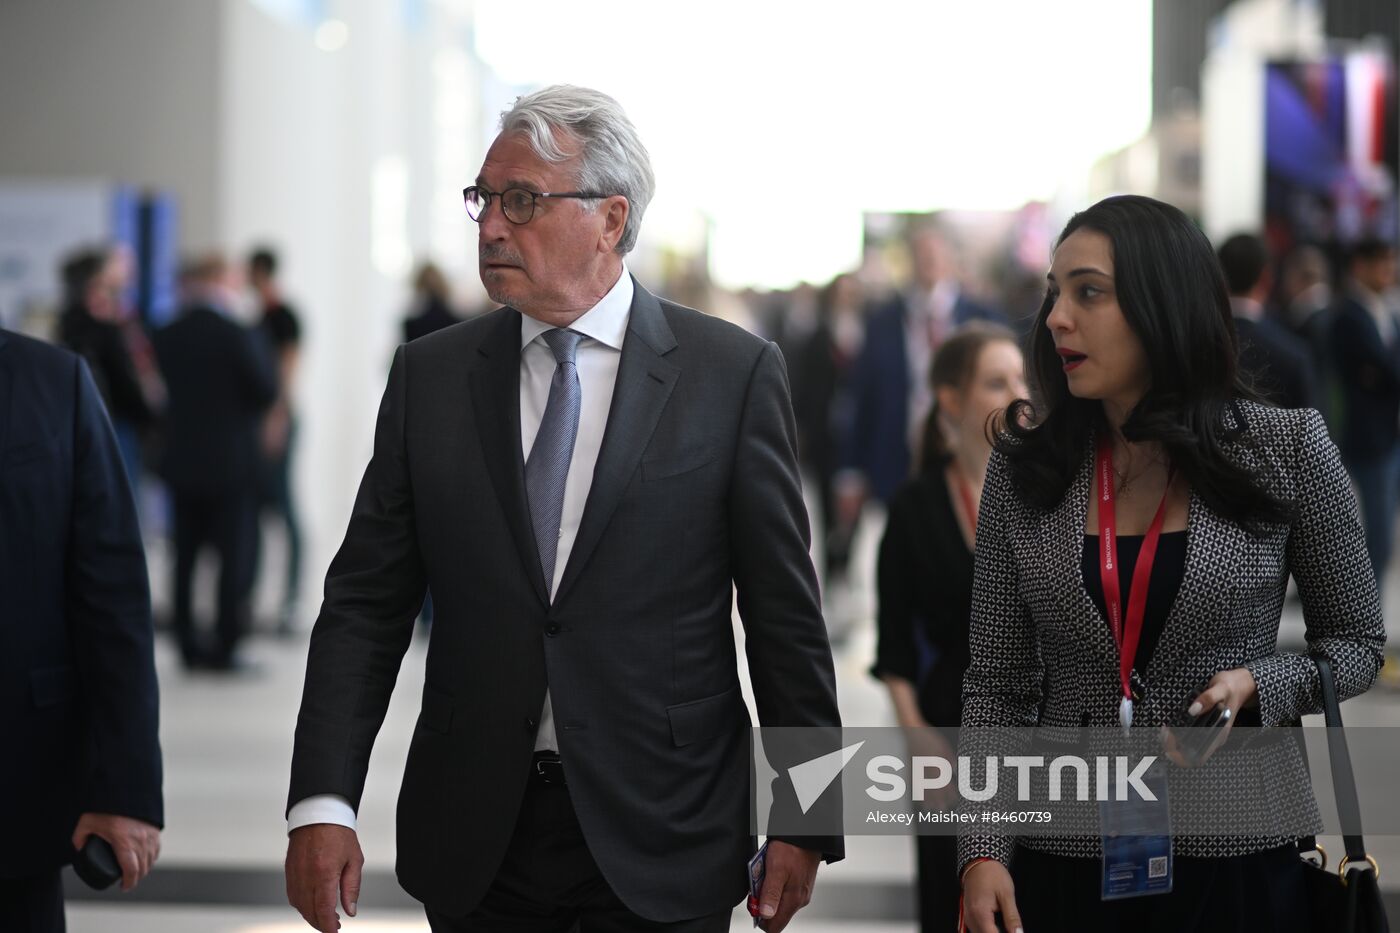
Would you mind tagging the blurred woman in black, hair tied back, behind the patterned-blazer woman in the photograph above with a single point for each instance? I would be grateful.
(926, 568)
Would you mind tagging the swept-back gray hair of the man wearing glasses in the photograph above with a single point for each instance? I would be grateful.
(611, 155)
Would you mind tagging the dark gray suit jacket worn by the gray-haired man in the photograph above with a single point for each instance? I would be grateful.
(695, 494)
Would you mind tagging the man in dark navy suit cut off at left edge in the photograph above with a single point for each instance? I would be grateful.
(79, 701)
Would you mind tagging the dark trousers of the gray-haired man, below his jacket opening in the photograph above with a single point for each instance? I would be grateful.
(549, 883)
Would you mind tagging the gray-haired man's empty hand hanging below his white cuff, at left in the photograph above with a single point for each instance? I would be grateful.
(324, 859)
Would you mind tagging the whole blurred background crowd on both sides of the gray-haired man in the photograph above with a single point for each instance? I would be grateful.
(208, 403)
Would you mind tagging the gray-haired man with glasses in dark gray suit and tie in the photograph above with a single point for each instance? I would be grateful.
(583, 478)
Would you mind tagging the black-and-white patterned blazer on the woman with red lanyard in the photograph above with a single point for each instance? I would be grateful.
(1042, 655)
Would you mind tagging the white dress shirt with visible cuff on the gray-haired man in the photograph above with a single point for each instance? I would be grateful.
(600, 354)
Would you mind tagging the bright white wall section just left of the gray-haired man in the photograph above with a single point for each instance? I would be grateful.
(331, 159)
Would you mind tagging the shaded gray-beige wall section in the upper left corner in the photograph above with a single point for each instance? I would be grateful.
(122, 90)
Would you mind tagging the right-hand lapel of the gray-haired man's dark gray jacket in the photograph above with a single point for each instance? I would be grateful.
(645, 383)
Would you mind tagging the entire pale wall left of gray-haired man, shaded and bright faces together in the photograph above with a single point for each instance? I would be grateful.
(346, 162)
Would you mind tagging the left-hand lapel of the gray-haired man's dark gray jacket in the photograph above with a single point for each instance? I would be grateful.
(496, 399)
